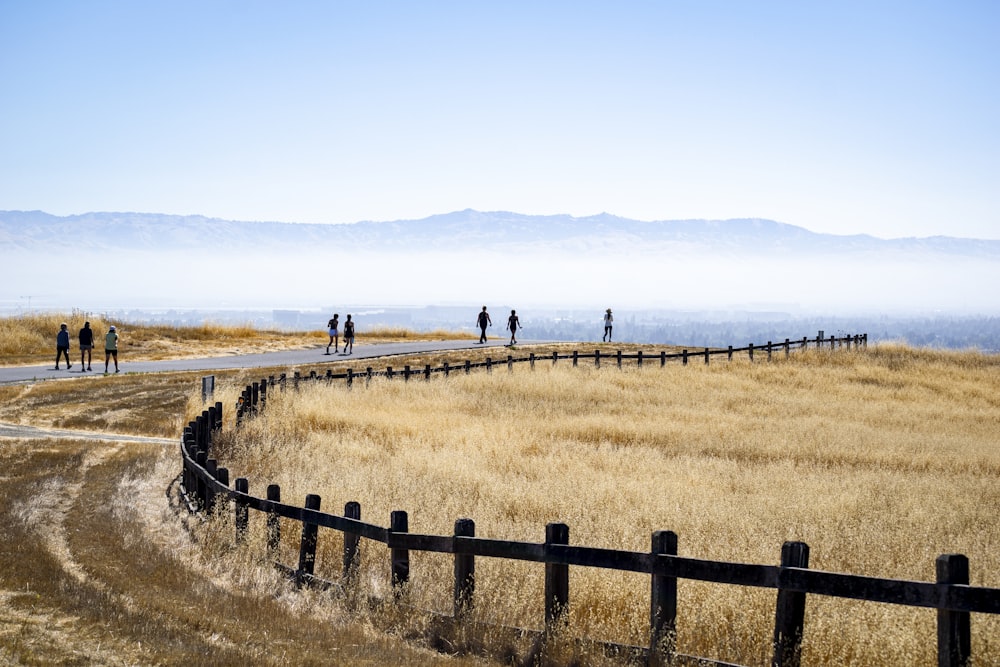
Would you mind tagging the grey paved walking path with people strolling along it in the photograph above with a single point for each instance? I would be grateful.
(314, 356)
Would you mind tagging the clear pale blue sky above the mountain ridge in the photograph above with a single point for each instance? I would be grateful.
(841, 117)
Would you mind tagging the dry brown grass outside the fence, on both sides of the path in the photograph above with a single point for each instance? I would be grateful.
(99, 566)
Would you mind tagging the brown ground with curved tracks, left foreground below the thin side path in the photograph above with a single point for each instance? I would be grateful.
(97, 568)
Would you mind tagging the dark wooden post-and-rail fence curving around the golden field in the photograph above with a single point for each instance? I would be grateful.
(208, 488)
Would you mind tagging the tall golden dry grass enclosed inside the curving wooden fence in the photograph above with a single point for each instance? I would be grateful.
(880, 460)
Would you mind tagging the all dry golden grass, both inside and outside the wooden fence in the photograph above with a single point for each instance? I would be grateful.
(879, 460)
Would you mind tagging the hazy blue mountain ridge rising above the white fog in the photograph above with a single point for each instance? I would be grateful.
(36, 230)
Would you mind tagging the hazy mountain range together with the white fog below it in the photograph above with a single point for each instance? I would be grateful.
(112, 260)
